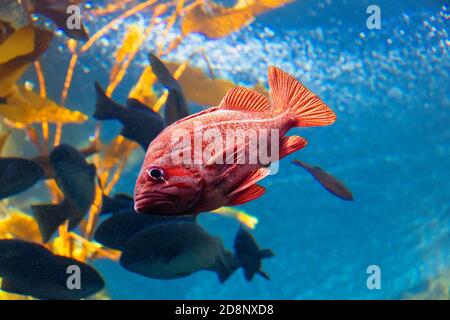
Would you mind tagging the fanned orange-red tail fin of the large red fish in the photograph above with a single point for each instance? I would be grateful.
(305, 107)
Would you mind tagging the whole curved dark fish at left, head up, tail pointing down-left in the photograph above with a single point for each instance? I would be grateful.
(76, 179)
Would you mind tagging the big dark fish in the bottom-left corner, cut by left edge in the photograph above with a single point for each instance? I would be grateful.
(30, 269)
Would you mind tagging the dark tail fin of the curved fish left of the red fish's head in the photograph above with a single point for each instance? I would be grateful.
(49, 217)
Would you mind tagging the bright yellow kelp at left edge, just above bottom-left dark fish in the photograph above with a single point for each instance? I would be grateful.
(18, 225)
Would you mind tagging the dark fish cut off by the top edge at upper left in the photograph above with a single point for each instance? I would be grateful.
(57, 11)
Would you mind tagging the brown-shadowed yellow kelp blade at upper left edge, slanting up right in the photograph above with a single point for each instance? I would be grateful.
(16, 53)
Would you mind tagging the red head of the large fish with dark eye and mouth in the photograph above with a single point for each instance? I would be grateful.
(167, 190)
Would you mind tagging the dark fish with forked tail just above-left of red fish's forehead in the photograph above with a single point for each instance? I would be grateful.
(140, 123)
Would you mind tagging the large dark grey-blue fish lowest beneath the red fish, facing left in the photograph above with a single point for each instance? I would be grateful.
(175, 250)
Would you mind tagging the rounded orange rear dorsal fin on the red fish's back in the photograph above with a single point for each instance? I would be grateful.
(244, 99)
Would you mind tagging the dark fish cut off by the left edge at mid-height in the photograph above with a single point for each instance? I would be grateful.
(17, 175)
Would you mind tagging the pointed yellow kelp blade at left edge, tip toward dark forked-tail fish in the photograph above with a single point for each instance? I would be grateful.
(25, 107)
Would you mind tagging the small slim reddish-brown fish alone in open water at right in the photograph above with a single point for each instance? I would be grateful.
(329, 182)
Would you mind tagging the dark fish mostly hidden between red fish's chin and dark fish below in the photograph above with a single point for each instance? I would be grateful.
(116, 231)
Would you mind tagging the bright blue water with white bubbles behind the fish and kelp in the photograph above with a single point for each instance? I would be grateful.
(390, 145)
